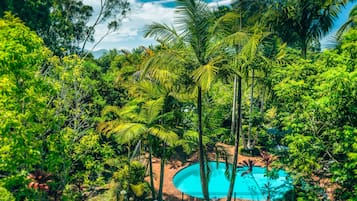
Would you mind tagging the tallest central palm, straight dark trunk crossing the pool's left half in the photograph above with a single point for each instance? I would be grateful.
(193, 22)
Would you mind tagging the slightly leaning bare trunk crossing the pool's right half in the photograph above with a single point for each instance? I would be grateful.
(238, 93)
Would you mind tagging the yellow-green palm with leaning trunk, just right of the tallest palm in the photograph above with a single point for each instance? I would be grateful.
(245, 46)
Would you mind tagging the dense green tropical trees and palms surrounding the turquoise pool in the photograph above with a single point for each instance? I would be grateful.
(77, 128)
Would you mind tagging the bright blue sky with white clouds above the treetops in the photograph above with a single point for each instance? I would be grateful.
(145, 12)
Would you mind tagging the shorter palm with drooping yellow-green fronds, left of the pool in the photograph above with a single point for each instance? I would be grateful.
(139, 120)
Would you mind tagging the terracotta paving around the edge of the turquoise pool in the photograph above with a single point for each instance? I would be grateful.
(171, 167)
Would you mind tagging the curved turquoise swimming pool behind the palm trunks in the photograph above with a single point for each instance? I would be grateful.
(250, 186)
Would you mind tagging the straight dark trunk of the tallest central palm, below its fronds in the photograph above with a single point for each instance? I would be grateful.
(204, 181)
